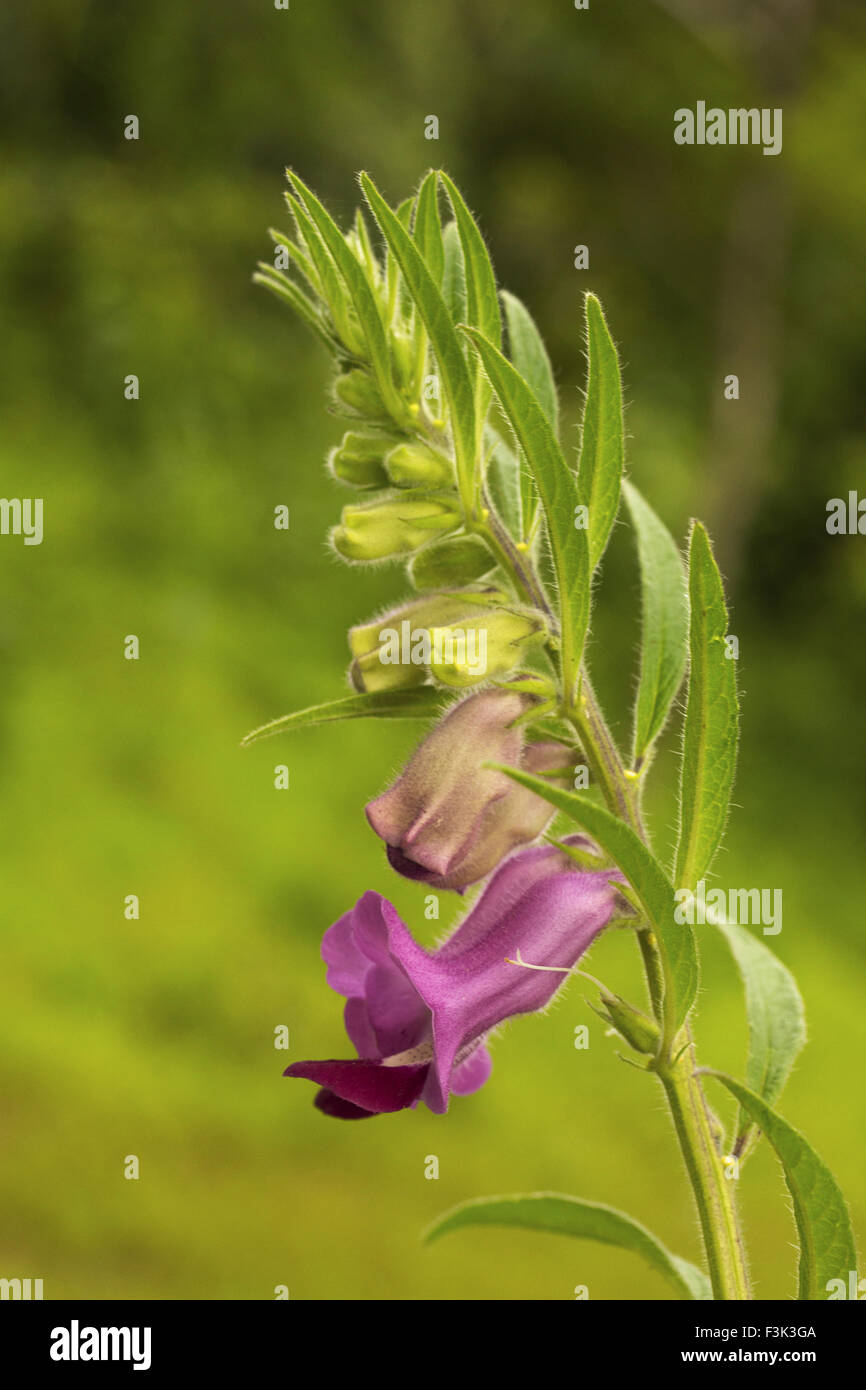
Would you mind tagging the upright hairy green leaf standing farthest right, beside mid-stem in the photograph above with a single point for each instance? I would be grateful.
(710, 742)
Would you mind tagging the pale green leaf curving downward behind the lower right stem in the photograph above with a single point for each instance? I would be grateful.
(778, 1022)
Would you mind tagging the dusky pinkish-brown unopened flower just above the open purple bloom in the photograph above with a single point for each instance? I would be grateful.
(448, 821)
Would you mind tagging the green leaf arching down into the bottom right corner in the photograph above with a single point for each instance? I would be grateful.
(826, 1241)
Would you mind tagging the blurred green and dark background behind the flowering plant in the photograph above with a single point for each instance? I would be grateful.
(155, 1038)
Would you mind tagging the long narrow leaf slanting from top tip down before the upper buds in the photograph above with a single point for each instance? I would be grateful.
(454, 370)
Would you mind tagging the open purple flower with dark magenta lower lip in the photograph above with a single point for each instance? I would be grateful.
(419, 1020)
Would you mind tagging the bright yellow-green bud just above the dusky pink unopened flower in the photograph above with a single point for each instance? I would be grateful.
(486, 646)
